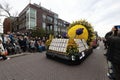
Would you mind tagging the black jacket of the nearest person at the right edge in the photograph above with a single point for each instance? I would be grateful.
(113, 53)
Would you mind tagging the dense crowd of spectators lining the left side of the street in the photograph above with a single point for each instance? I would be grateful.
(20, 42)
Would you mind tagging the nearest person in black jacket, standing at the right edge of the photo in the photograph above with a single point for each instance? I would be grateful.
(113, 53)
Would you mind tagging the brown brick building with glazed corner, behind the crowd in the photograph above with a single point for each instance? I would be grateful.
(35, 16)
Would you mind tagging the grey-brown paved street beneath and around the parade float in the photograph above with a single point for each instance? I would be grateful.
(35, 66)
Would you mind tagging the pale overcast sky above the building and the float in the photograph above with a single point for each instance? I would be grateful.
(102, 14)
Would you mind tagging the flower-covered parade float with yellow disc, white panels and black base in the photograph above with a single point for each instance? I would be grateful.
(74, 45)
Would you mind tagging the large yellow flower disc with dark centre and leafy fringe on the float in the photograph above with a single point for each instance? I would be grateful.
(81, 30)
